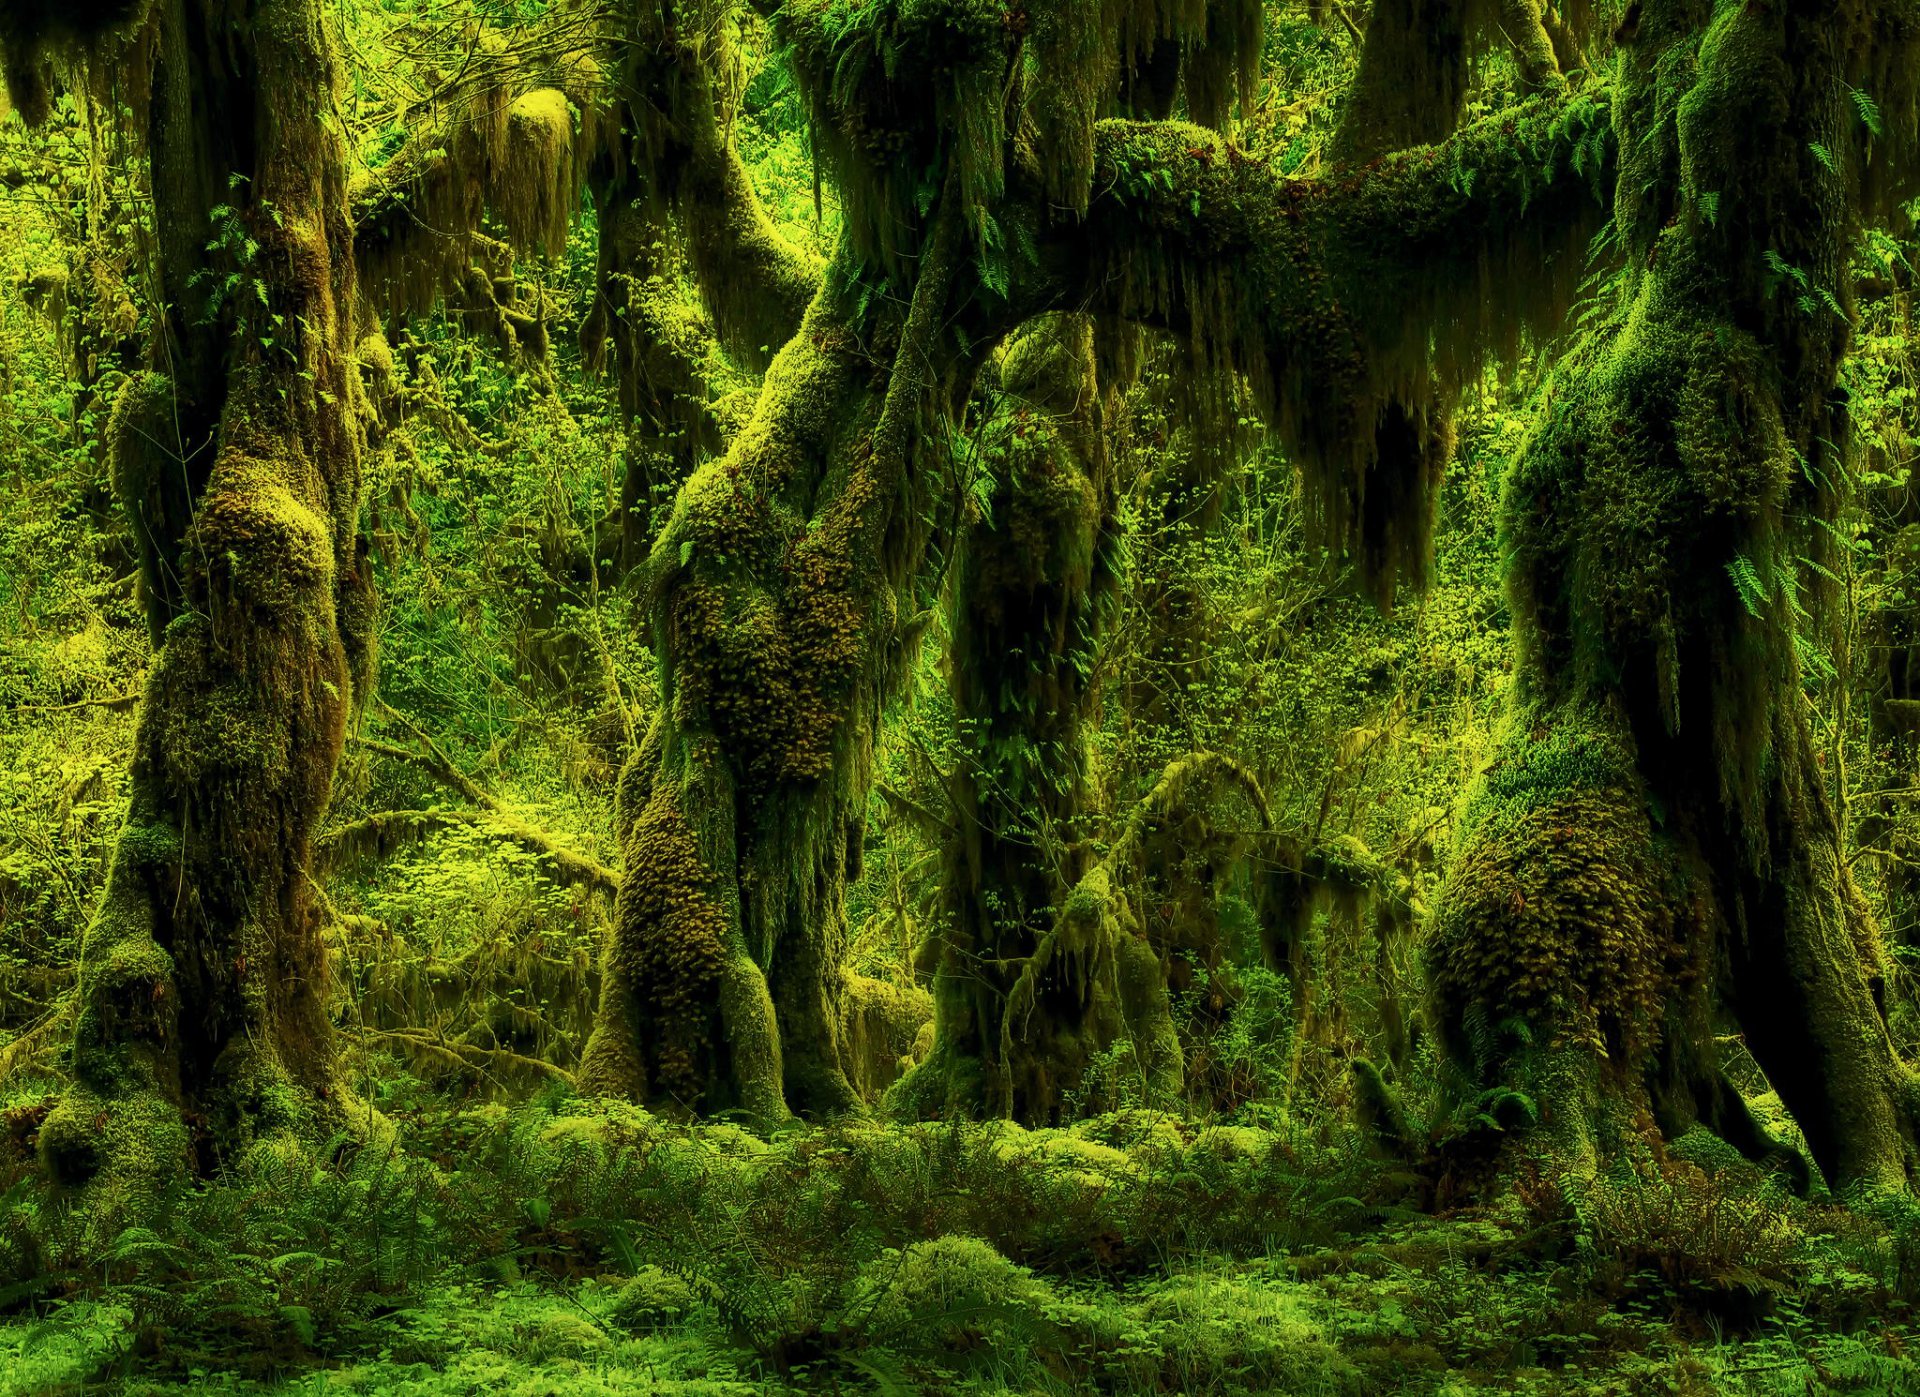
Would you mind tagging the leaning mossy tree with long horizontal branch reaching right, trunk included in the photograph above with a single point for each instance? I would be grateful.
(788, 588)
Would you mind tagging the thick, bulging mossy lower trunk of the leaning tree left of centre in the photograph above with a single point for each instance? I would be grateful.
(779, 623)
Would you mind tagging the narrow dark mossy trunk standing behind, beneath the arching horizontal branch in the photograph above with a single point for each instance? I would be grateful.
(1032, 987)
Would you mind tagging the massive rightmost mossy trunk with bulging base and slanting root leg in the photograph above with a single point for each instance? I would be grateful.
(1654, 843)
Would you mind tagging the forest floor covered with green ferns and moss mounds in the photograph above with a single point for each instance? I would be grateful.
(571, 1248)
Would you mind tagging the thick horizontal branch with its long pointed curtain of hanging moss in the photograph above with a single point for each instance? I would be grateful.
(1360, 304)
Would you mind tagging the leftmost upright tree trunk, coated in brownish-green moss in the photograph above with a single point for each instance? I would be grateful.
(203, 987)
